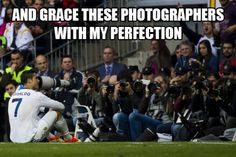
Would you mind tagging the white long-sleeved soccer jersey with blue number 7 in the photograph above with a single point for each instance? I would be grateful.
(23, 109)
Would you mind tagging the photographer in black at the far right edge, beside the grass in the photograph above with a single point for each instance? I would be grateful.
(225, 99)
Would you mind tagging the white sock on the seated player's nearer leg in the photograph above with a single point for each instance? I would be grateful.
(44, 125)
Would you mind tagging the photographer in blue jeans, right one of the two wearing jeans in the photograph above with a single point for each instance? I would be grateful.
(152, 109)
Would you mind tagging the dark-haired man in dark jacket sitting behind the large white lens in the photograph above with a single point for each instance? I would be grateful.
(69, 95)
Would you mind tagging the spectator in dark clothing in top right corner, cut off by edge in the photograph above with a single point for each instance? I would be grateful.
(228, 25)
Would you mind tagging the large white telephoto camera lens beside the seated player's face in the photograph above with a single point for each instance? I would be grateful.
(46, 82)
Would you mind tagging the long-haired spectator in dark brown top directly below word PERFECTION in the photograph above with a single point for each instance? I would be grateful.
(161, 56)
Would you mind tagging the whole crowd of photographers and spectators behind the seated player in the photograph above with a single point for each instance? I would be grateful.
(189, 94)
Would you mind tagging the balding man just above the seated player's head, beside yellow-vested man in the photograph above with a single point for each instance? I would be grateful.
(41, 63)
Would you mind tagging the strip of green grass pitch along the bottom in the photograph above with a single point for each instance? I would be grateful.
(119, 149)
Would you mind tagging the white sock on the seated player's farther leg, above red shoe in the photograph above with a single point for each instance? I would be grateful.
(62, 127)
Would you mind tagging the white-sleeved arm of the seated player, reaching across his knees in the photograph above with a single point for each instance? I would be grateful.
(50, 103)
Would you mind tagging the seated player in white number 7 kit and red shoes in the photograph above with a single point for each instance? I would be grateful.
(24, 107)
